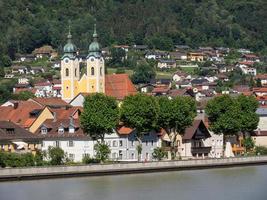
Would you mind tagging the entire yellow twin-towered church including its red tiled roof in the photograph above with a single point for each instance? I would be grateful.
(94, 79)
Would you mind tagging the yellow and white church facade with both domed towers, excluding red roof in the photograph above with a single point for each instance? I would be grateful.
(93, 80)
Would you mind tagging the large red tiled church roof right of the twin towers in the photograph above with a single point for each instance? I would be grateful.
(119, 86)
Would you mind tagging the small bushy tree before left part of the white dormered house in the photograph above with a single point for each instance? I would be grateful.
(56, 155)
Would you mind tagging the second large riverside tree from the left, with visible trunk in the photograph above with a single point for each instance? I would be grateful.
(140, 112)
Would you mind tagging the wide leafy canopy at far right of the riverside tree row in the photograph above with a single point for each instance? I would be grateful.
(231, 116)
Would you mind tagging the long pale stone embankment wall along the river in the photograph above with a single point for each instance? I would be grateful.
(14, 174)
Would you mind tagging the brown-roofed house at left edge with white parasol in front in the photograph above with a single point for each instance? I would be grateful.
(15, 139)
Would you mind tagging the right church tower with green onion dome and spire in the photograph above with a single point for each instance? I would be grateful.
(95, 67)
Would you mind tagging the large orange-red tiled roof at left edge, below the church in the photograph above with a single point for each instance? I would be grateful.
(22, 113)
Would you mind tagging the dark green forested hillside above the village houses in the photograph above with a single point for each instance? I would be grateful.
(27, 24)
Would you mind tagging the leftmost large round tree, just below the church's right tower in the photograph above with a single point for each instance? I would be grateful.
(100, 115)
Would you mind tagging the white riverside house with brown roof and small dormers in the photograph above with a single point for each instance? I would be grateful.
(68, 135)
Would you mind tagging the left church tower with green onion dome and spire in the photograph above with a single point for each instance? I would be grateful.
(70, 71)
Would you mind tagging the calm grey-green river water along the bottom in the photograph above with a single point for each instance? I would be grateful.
(244, 183)
